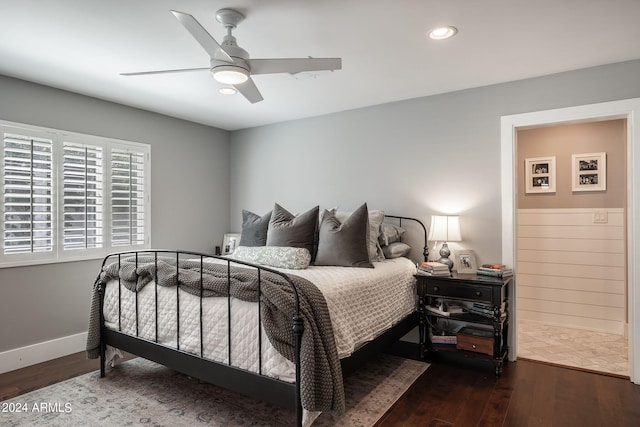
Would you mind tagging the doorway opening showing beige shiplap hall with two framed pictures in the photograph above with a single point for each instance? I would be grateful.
(570, 244)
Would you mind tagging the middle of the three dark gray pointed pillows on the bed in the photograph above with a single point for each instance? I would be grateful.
(286, 229)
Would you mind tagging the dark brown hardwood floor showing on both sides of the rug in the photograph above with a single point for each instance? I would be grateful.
(527, 394)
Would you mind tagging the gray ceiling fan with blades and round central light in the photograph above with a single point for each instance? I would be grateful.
(231, 65)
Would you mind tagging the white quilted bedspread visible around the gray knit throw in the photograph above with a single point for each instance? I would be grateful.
(362, 302)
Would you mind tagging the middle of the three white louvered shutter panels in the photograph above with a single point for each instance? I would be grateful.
(83, 196)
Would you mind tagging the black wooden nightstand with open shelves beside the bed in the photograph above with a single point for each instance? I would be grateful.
(486, 336)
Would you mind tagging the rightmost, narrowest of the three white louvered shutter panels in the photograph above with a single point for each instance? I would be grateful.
(127, 198)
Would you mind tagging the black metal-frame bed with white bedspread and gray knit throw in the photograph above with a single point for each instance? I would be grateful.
(283, 335)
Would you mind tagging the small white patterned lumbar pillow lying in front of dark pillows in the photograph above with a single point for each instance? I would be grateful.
(274, 256)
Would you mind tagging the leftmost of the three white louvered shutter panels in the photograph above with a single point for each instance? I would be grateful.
(27, 194)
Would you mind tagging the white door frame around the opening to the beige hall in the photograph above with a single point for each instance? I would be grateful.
(628, 109)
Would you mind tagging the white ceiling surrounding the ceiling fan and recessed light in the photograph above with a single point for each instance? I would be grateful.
(83, 45)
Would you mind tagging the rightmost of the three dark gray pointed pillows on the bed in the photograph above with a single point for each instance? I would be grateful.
(344, 243)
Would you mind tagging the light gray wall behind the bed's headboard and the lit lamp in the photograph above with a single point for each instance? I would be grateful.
(431, 155)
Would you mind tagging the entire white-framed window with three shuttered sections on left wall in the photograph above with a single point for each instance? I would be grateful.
(71, 196)
